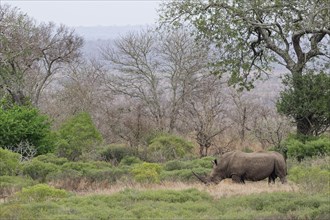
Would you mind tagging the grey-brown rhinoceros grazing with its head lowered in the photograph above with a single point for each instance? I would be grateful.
(240, 166)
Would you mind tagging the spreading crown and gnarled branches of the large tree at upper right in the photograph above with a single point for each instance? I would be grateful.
(252, 35)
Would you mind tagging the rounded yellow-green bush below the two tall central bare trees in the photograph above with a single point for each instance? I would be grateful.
(164, 147)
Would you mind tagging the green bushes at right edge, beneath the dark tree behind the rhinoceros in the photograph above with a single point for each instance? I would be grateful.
(308, 148)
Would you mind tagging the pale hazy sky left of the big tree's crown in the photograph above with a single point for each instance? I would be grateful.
(90, 13)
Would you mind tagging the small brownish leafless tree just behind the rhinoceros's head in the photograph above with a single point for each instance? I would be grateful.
(205, 112)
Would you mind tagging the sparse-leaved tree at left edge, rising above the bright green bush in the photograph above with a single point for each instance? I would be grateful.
(31, 54)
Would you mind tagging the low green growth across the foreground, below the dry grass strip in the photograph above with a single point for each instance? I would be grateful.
(171, 204)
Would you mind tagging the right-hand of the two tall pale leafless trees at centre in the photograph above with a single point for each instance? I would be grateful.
(184, 60)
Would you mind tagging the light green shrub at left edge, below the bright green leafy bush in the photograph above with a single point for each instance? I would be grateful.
(9, 162)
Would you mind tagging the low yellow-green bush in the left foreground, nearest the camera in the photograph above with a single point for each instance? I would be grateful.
(41, 193)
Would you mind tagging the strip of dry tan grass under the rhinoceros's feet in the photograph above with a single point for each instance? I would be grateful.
(224, 189)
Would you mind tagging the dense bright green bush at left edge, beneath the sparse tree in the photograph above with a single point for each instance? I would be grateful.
(25, 124)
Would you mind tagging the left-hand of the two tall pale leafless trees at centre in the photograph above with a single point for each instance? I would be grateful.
(133, 57)
